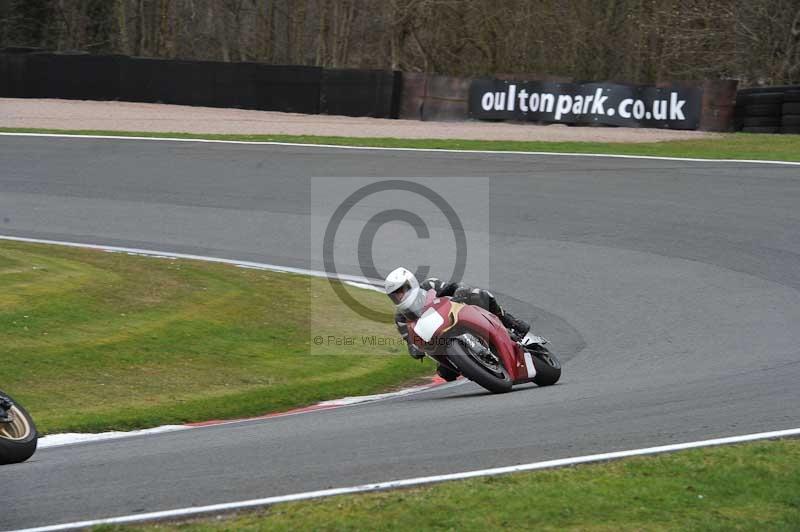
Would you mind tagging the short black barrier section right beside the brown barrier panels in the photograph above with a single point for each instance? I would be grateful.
(374, 93)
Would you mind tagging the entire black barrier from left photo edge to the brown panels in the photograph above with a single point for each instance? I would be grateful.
(297, 89)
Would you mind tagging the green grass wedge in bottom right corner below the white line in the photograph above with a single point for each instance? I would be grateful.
(744, 487)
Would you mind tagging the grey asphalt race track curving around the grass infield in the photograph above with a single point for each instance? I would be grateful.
(670, 288)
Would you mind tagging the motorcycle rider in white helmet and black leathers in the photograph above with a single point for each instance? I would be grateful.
(408, 296)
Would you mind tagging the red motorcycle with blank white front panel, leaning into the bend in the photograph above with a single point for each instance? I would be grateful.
(472, 341)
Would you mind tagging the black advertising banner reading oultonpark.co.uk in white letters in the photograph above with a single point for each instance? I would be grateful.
(586, 103)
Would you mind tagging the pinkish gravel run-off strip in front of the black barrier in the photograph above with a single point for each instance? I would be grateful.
(128, 116)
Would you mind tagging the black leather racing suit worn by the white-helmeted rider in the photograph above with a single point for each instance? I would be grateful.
(462, 294)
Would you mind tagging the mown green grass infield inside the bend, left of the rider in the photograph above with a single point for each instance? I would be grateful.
(96, 341)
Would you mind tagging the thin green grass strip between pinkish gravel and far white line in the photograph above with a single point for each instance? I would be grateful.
(728, 146)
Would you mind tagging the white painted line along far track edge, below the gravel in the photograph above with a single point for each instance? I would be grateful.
(428, 150)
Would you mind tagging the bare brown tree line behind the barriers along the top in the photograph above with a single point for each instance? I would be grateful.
(638, 41)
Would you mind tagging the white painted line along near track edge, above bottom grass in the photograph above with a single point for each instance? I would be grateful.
(198, 510)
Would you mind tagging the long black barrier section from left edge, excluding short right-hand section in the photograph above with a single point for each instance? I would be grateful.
(207, 83)
